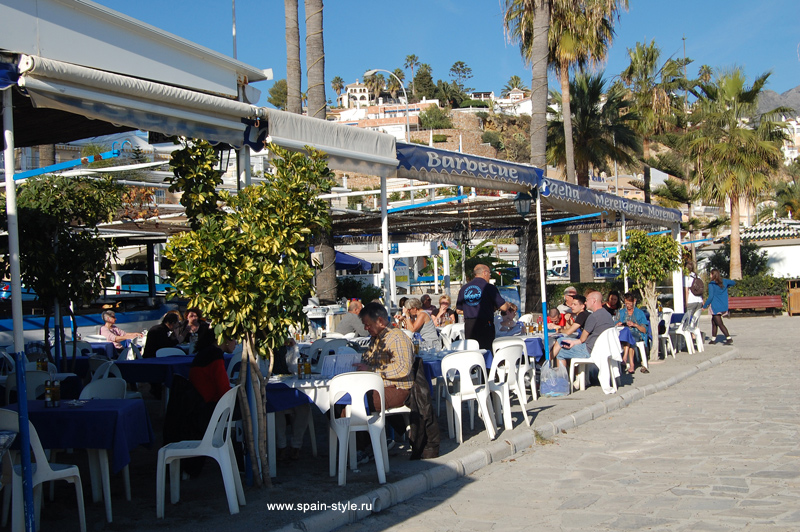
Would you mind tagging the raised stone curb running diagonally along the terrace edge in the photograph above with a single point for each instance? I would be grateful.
(394, 493)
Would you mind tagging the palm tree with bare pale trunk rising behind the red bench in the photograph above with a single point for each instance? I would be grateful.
(735, 159)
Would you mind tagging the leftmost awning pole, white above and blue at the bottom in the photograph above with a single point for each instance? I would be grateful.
(16, 309)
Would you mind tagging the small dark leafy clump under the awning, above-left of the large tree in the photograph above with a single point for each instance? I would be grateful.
(194, 174)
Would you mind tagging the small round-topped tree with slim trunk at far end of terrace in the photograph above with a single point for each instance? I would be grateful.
(650, 260)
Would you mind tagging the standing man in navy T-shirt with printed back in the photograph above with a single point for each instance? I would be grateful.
(478, 300)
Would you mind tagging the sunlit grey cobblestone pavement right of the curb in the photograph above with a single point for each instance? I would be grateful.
(717, 452)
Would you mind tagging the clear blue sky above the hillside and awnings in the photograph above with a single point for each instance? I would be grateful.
(359, 35)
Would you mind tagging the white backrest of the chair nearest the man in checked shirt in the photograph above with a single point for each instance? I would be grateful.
(357, 384)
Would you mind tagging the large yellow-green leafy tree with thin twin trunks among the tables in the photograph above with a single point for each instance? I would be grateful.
(248, 268)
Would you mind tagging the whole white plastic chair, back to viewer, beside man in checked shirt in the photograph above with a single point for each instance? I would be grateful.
(356, 419)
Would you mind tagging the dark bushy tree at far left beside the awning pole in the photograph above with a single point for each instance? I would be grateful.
(62, 257)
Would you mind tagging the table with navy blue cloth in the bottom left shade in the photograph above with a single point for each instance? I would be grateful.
(115, 425)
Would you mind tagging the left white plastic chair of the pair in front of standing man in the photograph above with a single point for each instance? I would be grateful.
(457, 369)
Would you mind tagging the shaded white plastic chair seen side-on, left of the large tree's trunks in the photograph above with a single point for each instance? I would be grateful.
(216, 444)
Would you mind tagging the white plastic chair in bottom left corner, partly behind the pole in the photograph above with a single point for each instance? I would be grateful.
(43, 472)
